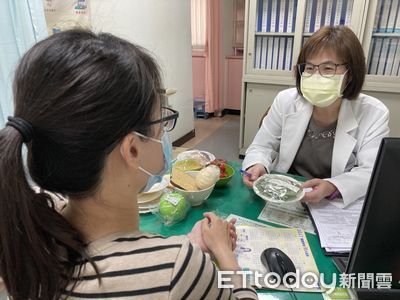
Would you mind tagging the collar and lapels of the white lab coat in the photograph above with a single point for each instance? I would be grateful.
(295, 125)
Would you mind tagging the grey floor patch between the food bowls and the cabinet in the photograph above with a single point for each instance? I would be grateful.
(223, 142)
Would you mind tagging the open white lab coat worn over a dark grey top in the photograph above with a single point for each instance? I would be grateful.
(361, 125)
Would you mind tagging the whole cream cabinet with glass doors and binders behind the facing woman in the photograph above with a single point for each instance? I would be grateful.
(275, 31)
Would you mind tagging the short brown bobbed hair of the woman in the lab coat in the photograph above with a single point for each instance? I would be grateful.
(342, 41)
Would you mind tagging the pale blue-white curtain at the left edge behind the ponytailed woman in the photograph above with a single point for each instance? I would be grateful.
(22, 24)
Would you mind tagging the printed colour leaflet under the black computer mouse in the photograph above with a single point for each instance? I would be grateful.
(252, 241)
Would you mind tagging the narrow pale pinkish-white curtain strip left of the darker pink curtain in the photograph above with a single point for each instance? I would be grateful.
(198, 24)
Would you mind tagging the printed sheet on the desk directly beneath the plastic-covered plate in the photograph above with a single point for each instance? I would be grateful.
(287, 214)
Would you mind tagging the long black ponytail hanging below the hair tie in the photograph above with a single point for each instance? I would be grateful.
(36, 241)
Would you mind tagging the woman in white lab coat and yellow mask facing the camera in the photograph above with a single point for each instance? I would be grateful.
(324, 129)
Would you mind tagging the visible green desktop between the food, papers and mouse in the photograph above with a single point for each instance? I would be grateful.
(237, 199)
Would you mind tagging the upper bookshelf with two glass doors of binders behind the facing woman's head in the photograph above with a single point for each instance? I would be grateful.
(278, 28)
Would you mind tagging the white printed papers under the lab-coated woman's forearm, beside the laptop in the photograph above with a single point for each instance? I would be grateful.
(336, 226)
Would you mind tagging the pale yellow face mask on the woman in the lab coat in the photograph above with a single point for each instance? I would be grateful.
(321, 91)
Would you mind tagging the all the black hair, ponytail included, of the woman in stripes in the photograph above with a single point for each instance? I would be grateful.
(81, 92)
